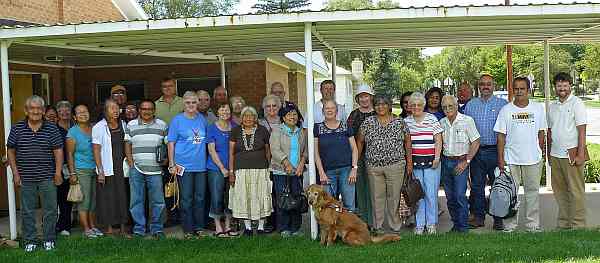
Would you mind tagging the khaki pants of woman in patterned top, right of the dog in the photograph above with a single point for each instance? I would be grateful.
(386, 183)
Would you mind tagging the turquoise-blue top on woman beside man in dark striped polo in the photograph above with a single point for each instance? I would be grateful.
(83, 155)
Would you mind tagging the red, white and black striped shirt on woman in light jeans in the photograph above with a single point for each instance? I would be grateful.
(421, 134)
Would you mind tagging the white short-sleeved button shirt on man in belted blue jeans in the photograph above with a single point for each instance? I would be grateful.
(458, 135)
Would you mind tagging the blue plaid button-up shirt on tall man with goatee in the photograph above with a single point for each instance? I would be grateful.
(485, 113)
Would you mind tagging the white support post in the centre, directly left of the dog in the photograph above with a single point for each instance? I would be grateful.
(310, 116)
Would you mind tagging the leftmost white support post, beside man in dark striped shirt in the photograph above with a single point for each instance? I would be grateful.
(12, 207)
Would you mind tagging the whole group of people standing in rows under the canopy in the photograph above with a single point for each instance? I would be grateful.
(232, 162)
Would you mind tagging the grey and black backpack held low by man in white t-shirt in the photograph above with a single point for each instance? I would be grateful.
(503, 202)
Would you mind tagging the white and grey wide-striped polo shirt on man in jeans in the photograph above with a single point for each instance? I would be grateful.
(144, 139)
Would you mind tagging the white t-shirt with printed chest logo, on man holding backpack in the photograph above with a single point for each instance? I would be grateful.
(521, 127)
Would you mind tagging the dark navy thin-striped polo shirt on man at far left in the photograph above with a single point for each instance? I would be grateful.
(34, 150)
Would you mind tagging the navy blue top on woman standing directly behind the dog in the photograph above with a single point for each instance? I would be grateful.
(334, 148)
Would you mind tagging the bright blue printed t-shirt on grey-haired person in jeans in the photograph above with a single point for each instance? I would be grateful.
(189, 136)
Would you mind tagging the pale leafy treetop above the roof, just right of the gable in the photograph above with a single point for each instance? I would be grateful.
(157, 9)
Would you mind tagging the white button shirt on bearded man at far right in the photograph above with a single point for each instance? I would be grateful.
(563, 119)
